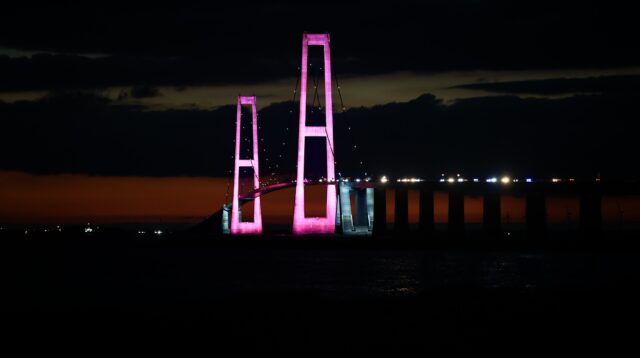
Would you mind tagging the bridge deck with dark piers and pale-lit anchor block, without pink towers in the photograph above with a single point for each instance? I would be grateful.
(371, 198)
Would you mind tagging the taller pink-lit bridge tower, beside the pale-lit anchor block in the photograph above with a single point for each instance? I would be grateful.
(326, 224)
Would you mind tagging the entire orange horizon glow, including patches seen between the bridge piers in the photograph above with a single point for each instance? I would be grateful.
(75, 198)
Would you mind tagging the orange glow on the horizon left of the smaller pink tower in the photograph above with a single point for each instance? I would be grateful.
(71, 198)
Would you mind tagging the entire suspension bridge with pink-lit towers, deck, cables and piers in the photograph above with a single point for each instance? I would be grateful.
(370, 197)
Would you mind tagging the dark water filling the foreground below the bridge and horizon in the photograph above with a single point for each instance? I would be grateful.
(197, 299)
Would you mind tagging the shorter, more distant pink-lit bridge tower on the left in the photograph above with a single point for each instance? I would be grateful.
(237, 226)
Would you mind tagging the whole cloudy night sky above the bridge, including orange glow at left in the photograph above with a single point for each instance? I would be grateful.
(130, 106)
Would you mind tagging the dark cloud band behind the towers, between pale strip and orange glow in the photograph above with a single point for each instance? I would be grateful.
(85, 133)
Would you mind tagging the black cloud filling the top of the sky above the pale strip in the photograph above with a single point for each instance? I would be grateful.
(183, 44)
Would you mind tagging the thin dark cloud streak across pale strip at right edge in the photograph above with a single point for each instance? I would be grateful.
(554, 86)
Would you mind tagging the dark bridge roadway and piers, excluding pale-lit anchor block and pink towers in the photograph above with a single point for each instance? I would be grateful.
(589, 194)
